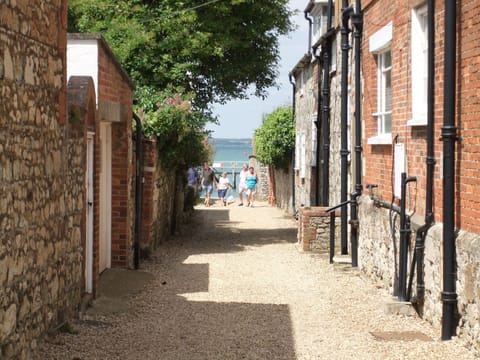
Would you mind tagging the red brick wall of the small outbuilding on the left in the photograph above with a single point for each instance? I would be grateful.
(115, 98)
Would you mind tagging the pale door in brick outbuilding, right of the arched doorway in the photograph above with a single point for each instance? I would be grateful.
(105, 196)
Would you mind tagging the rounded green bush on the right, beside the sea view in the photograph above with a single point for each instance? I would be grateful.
(275, 139)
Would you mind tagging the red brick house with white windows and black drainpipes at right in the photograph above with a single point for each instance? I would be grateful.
(407, 101)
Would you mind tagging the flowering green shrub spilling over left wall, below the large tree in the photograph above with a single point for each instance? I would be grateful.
(178, 128)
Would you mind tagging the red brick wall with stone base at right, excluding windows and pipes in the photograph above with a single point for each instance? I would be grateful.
(376, 246)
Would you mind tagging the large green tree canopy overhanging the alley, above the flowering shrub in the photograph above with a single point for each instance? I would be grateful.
(216, 49)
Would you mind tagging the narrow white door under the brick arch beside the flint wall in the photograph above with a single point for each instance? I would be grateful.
(89, 216)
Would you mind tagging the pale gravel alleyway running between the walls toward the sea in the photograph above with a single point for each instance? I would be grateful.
(233, 285)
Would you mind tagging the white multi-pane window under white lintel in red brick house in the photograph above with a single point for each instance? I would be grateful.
(384, 98)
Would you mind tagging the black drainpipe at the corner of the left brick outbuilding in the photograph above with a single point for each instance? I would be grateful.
(138, 190)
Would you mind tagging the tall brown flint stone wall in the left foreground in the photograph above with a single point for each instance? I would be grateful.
(41, 178)
